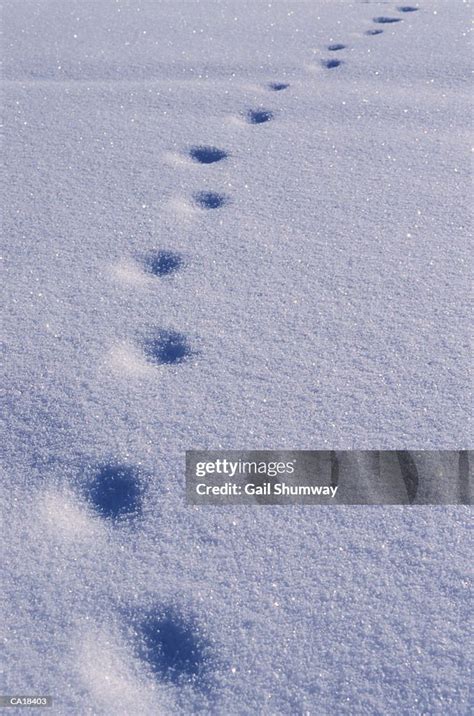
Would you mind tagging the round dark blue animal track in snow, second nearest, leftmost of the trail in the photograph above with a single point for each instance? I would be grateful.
(116, 492)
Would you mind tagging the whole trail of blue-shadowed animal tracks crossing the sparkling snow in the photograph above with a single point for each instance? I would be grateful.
(168, 642)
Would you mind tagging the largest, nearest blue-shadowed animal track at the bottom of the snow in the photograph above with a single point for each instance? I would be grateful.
(171, 646)
